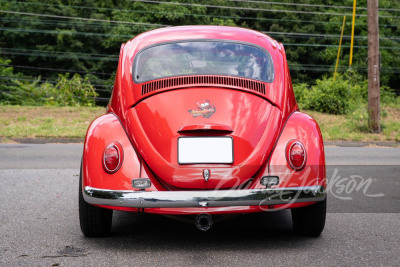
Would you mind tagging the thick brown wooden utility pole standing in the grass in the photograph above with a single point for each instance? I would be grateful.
(373, 67)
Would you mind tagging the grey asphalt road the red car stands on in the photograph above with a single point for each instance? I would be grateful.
(39, 219)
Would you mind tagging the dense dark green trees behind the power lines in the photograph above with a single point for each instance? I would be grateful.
(88, 34)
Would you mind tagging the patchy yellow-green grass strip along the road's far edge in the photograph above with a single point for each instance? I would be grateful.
(72, 122)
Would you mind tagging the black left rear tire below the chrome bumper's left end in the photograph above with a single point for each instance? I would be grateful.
(94, 221)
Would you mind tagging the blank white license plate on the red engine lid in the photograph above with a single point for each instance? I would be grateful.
(192, 150)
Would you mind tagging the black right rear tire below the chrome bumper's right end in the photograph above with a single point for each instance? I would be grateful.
(309, 220)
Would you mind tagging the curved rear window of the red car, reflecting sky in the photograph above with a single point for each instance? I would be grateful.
(203, 58)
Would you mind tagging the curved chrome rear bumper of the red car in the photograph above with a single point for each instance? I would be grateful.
(213, 198)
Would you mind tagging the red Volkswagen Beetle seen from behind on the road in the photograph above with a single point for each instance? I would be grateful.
(202, 121)
